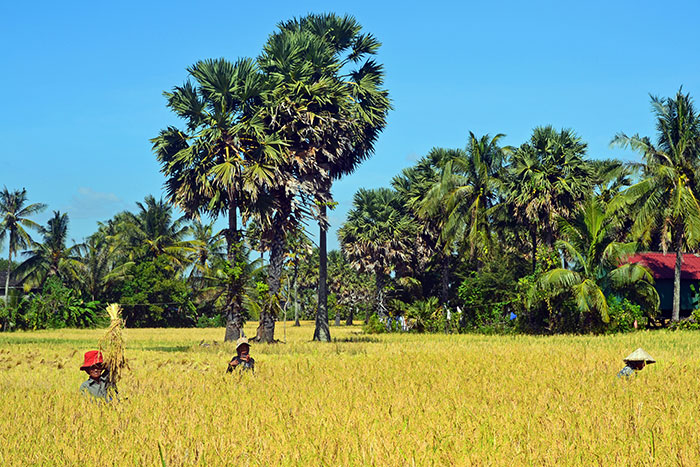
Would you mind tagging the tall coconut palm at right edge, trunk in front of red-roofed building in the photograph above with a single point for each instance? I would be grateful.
(666, 199)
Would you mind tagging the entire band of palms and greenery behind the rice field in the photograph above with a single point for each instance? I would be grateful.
(488, 237)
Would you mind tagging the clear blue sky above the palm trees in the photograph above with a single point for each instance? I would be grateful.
(82, 82)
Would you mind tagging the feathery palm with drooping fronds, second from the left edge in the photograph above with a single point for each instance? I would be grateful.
(51, 257)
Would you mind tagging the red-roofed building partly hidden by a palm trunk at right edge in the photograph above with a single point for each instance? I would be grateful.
(663, 268)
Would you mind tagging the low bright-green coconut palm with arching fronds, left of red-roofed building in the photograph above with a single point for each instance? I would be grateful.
(596, 263)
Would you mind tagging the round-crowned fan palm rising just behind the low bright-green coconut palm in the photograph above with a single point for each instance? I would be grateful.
(548, 178)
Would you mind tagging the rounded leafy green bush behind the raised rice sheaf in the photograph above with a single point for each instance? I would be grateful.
(154, 297)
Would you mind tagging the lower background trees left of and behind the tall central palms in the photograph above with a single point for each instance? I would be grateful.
(164, 269)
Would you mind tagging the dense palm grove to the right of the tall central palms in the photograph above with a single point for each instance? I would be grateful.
(535, 237)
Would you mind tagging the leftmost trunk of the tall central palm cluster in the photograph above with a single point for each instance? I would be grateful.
(234, 294)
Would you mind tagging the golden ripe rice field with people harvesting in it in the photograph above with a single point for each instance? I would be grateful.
(364, 400)
